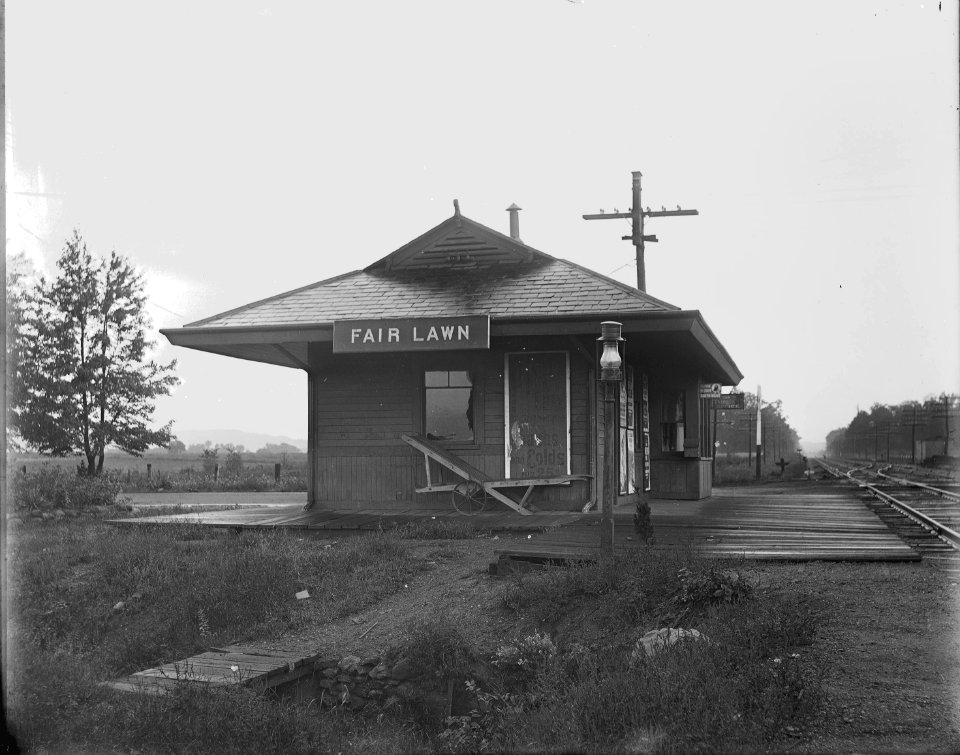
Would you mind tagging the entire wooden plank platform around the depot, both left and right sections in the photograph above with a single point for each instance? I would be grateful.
(804, 520)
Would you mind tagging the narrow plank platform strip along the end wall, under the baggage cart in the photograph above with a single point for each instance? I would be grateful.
(293, 517)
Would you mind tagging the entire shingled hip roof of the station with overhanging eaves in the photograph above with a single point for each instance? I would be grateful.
(460, 267)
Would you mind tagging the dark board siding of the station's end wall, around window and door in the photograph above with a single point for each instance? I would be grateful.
(362, 405)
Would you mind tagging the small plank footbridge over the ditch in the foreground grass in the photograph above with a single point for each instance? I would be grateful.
(232, 665)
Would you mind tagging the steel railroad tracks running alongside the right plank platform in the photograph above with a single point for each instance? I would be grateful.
(924, 515)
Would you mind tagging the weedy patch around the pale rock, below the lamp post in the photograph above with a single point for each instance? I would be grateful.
(738, 688)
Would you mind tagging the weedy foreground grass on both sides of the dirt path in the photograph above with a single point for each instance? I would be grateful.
(567, 674)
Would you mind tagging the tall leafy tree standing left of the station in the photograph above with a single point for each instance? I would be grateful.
(85, 379)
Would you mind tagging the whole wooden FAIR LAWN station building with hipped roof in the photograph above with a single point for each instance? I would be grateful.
(467, 354)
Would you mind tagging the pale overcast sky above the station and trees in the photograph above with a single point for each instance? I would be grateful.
(235, 150)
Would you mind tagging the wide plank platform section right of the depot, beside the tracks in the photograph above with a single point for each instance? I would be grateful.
(806, 521)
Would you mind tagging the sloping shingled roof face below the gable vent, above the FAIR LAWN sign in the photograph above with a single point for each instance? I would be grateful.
(544, 287)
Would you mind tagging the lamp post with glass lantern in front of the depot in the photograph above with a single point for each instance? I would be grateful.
(610, 376)
